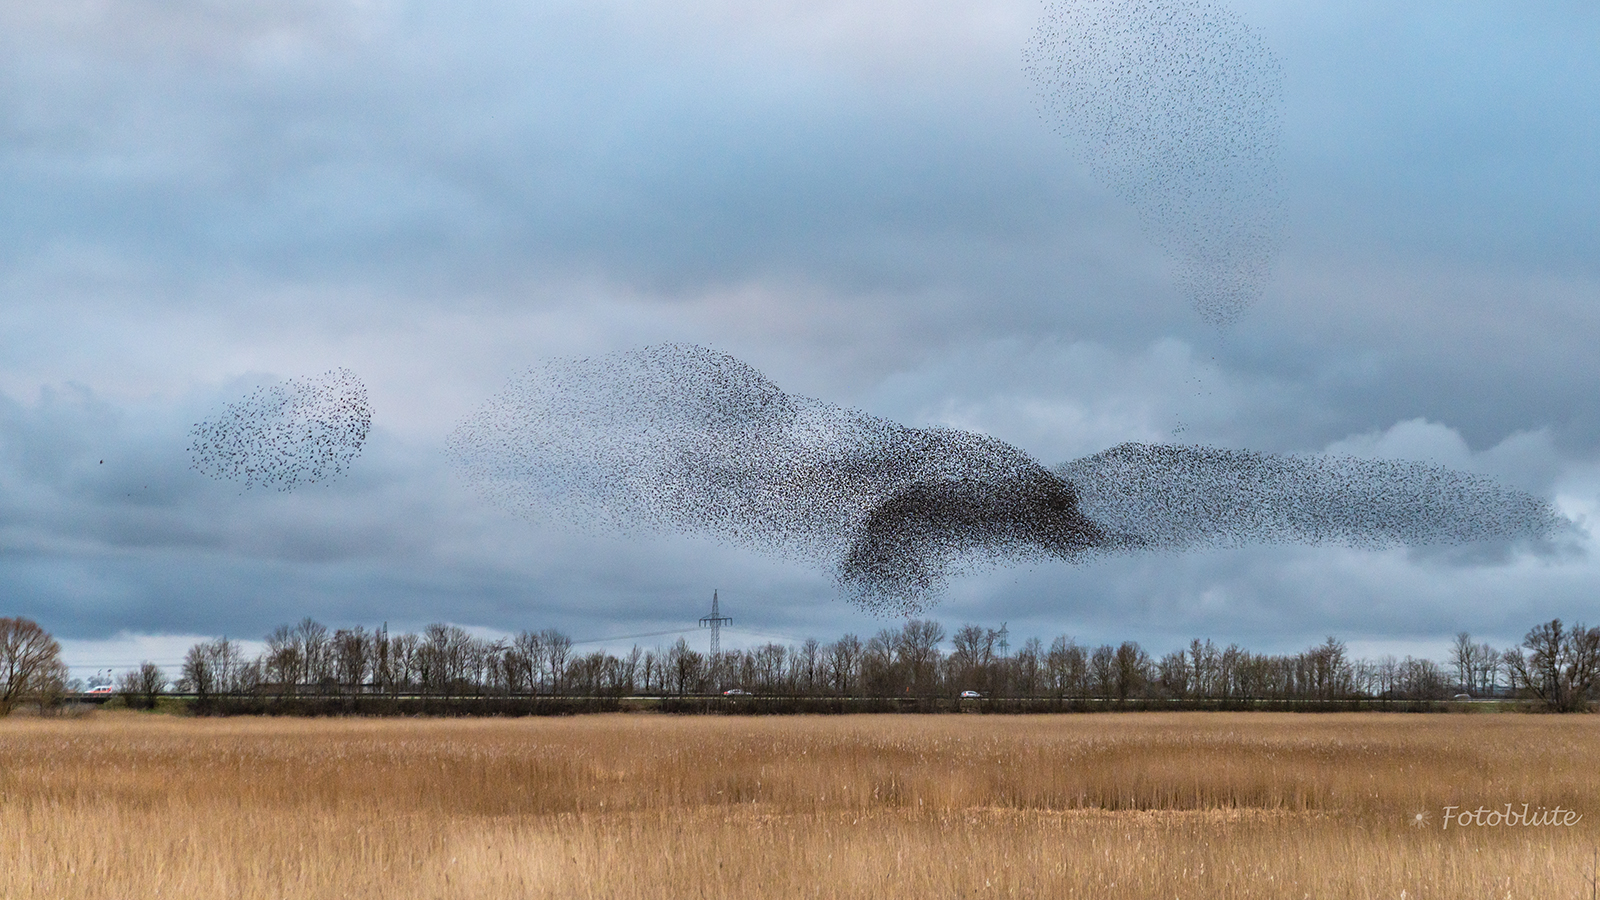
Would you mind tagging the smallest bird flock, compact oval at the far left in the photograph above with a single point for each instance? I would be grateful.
(282, 436)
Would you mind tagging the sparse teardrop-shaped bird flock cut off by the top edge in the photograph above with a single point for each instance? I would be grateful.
(1175, 106)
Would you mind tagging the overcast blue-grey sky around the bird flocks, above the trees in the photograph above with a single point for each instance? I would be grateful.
(860, 199)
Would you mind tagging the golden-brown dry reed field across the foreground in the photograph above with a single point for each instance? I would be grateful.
(1142, 805)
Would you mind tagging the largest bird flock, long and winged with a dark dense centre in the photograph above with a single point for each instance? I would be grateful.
(684, 438)
